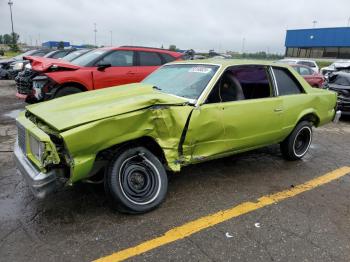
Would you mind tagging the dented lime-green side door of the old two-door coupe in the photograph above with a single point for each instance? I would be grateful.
(226, 126)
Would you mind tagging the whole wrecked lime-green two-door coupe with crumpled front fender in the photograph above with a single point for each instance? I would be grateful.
(184, 113)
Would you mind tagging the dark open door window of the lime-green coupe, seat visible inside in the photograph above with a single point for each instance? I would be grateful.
(242, 83)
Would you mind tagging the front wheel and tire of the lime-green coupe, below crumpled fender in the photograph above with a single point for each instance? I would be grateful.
(135, 181)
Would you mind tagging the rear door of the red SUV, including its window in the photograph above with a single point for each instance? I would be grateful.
(147, 63)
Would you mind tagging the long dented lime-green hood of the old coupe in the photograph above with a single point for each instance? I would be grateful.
(74, 110)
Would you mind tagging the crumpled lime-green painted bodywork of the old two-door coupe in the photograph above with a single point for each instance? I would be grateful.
(187, 132)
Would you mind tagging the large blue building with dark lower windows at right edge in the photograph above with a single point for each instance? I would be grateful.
(318, 42)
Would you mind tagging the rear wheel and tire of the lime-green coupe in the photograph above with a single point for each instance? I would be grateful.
(296, 145)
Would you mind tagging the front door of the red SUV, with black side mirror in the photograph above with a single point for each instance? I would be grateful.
(122, 69)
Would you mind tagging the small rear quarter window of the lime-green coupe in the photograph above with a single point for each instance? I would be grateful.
(286, 82)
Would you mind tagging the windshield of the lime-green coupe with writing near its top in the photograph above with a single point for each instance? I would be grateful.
(185, 80)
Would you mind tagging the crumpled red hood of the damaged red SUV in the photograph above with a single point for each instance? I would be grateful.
(42, 64)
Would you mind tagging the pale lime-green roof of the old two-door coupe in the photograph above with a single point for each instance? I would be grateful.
(231, 62)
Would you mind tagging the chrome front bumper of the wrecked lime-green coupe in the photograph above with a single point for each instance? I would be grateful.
(40, 183)
